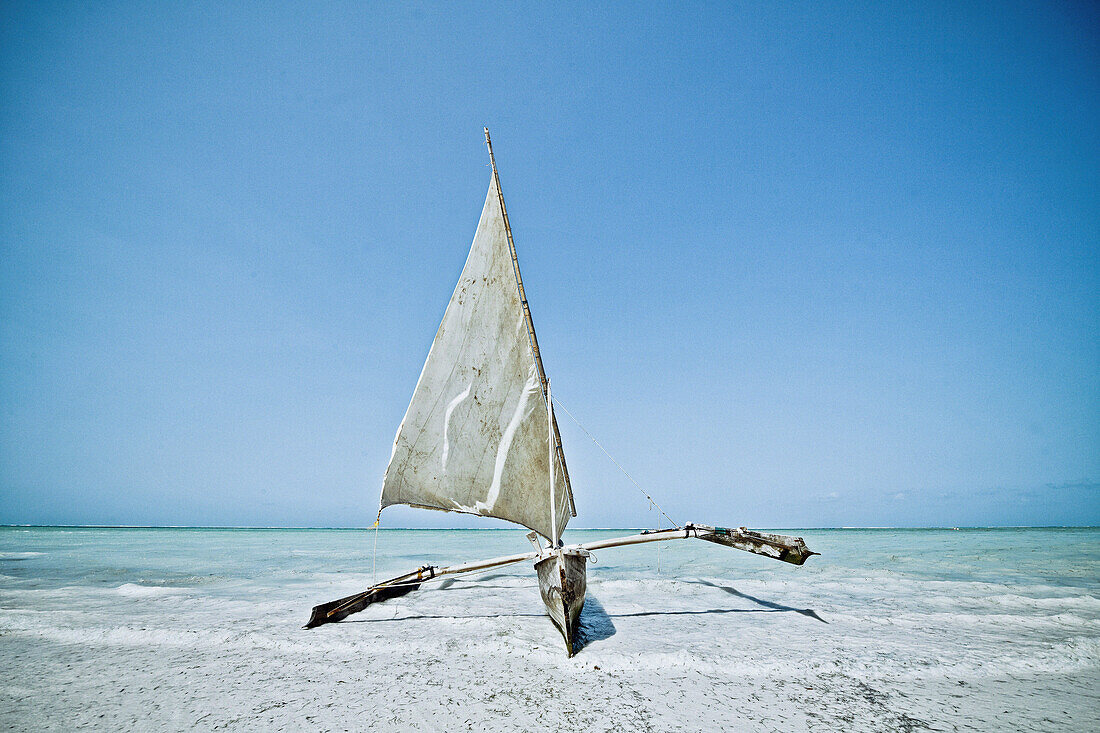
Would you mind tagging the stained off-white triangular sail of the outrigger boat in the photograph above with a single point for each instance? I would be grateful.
(476, 436)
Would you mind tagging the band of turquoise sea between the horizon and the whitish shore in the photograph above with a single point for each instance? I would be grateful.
(218, 560)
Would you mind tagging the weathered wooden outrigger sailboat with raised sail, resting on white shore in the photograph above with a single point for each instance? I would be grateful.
(480, 437)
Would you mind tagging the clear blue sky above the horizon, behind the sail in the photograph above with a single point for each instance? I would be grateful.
(793, 265)
